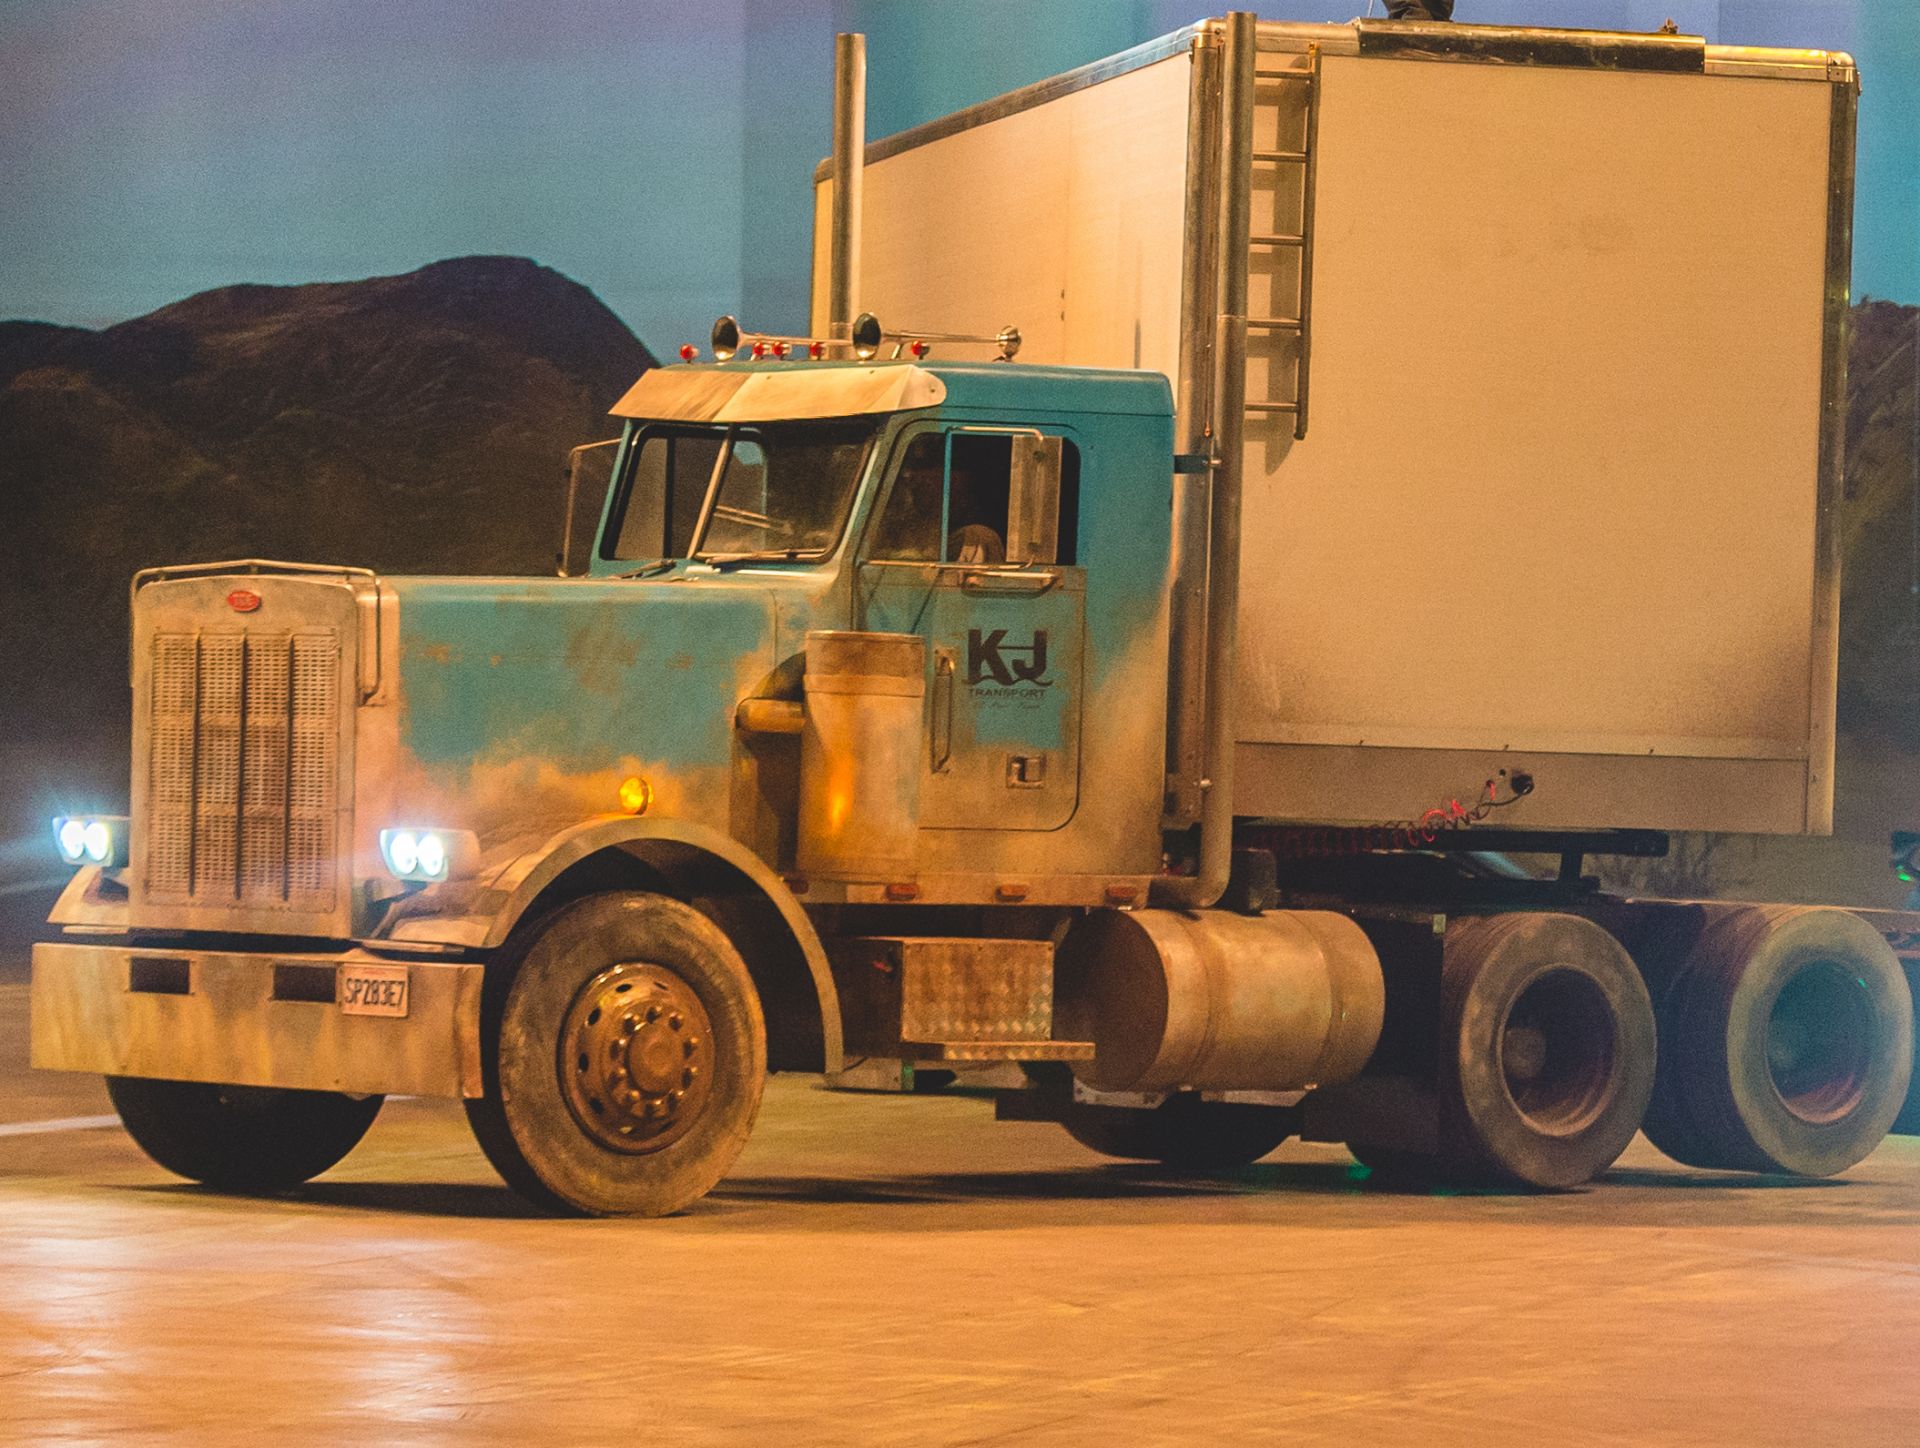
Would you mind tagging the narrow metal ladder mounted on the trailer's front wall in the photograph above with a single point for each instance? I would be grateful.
(1282, 256)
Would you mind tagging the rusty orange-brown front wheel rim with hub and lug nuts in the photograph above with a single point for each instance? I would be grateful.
(636, 1057)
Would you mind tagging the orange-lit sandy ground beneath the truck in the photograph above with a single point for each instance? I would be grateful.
(907, 1270)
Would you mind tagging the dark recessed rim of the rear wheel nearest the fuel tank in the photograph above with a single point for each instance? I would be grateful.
(1558, 1053)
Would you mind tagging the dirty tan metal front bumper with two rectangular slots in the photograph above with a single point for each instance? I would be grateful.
(254, 1021)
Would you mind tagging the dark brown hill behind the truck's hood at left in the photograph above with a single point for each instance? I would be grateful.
(404, 423)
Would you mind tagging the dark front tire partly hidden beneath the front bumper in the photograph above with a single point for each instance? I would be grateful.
(249, 1140)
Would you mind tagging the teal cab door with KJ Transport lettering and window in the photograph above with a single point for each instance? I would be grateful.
(969, 550)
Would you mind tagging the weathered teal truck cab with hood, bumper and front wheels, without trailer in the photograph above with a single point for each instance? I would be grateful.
(859, 644)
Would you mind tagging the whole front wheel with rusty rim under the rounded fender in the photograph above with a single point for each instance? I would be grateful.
(623, 1057)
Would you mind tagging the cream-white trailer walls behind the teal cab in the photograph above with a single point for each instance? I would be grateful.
(1560, 502)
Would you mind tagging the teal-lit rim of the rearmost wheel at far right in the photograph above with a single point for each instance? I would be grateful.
(1821, 1044)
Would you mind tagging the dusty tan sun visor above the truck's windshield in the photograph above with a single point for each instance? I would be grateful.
(711, 395)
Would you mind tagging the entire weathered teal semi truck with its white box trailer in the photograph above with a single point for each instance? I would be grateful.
(1303, 470)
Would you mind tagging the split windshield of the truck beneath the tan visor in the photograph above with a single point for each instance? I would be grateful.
(773, 491)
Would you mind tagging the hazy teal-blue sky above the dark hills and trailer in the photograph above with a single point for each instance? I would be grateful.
(658, 153)
